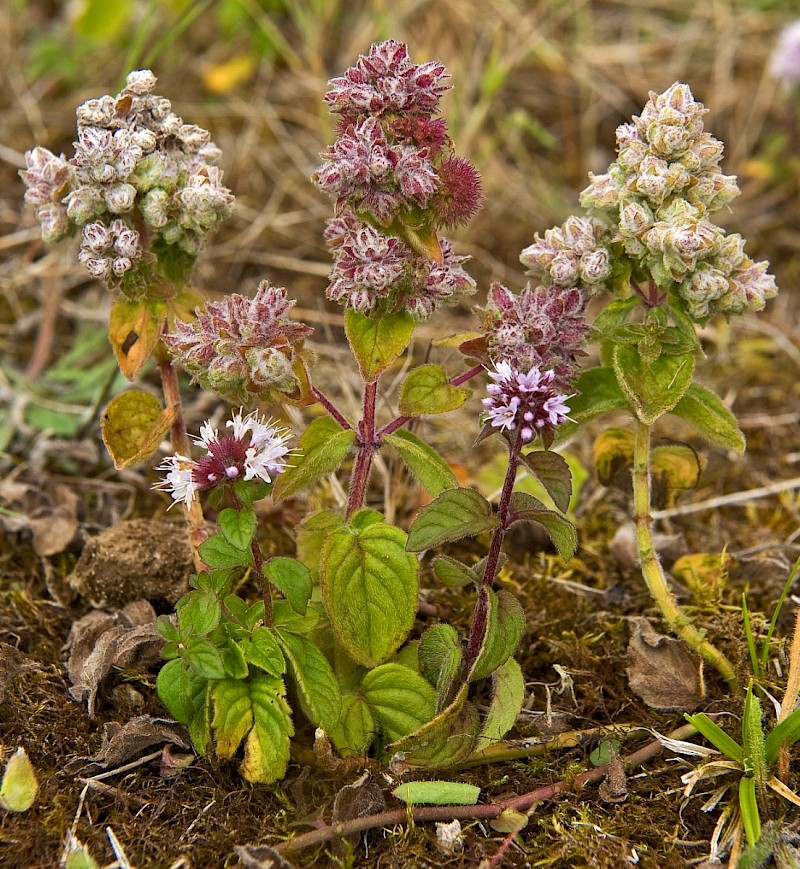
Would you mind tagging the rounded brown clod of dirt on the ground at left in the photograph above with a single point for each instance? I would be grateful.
(139, 558)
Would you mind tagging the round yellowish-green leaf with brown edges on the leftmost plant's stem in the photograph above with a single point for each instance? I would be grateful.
(134, 423)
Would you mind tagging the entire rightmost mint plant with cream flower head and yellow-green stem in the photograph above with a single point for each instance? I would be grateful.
(650, 240)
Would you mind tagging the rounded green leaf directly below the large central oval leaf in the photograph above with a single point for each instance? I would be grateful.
(400, 699)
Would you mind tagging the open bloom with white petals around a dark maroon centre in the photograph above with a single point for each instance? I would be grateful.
(254, 450)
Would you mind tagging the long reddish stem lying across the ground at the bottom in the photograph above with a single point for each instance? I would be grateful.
(491, 810)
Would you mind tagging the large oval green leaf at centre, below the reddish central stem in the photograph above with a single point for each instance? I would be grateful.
(369, 586)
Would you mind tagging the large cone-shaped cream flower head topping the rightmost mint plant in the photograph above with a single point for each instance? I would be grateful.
(655, 203)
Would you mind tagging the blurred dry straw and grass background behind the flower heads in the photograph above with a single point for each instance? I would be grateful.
(539, 87)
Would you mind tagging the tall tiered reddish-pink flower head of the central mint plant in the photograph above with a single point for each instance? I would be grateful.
(396, 181)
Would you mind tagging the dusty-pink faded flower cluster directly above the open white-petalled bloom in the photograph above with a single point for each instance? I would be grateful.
(245, 348)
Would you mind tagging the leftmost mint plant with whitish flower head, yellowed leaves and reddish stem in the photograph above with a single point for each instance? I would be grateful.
(143, 189)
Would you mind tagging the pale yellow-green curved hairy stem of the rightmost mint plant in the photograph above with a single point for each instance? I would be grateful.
(652, 570)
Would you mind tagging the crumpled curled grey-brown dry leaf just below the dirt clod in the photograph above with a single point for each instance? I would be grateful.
(100, 641)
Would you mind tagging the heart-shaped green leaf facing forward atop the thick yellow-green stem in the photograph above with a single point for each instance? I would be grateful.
(652, 388)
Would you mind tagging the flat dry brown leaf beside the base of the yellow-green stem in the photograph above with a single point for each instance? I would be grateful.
(663, 671)
